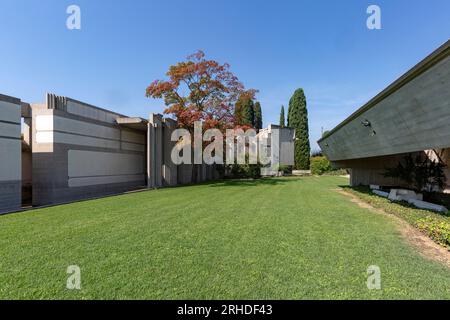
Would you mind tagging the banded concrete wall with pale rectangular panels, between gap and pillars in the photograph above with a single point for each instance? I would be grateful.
(79, 151)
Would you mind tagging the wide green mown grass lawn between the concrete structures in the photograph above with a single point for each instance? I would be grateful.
(270, 239)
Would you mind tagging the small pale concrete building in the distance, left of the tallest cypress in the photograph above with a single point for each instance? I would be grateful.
(281, 148)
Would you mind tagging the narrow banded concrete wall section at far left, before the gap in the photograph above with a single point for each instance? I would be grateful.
(10, 154)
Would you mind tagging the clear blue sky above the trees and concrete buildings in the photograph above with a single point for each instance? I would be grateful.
(273, 46)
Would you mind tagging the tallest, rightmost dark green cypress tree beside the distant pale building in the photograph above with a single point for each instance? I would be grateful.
(298, 119)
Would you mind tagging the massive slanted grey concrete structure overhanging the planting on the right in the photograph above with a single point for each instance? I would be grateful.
(412, 115)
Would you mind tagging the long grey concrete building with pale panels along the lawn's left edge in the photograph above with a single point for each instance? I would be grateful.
(71, 150)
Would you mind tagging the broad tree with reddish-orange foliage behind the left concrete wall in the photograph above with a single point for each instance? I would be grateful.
(200, 90)
